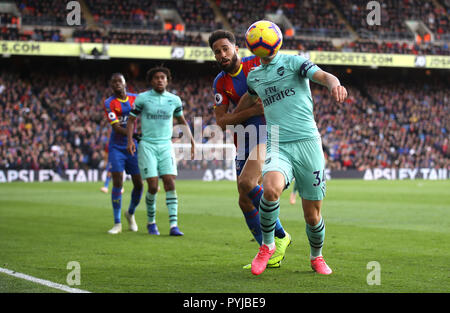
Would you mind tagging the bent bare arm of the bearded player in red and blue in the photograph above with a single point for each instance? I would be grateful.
(248, 109)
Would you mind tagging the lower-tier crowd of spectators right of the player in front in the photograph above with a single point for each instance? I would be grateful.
(396, 125)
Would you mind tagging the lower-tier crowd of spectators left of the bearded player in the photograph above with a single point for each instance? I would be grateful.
(57, 121)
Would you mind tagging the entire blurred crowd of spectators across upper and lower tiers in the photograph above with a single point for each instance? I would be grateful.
(56, 120)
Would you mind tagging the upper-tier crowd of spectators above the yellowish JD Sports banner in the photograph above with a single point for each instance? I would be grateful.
(314, 23)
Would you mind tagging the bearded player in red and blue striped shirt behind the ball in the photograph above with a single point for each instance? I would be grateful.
(229, 86)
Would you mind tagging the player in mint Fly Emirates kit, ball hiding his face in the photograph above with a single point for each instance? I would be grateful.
(294, 146)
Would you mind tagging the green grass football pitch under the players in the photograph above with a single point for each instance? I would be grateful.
(402, 225)
